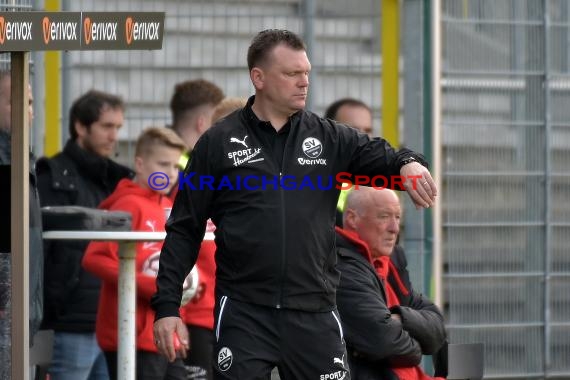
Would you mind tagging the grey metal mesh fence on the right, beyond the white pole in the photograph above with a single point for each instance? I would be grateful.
(506, 141)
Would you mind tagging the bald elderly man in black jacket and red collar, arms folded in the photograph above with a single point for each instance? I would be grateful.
(388, 326)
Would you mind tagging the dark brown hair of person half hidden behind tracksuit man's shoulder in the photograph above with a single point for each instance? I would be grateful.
(191, 94)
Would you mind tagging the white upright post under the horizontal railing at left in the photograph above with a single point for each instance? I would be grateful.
(126, 358)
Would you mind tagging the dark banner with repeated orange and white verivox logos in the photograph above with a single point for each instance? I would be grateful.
(25, 31)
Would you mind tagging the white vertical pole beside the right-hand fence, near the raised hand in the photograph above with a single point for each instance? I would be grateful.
(436, 149)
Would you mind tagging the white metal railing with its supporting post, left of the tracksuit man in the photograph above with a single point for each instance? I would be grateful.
(126, 355)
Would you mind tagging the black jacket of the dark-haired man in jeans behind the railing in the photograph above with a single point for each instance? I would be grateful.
(75, 177)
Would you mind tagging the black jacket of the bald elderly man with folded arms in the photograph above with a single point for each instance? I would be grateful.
(376, 342)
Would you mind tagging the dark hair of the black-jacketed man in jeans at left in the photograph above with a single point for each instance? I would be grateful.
(87, 109)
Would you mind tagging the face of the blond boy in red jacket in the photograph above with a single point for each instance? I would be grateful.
(162, 159)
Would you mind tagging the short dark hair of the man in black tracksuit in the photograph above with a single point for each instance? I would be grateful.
(266, 40)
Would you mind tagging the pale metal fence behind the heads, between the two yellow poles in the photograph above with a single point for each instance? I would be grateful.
(209, 40)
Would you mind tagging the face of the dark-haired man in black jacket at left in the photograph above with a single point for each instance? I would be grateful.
(101, 137)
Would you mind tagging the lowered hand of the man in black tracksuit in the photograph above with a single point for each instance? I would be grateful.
(164, 330)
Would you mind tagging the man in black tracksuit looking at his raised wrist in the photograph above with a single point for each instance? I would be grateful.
(276, 275)
